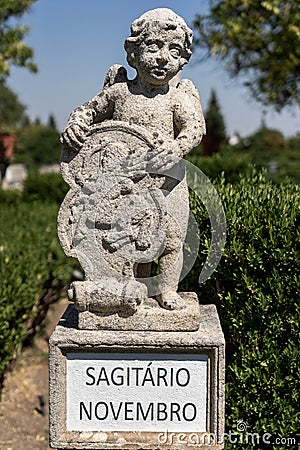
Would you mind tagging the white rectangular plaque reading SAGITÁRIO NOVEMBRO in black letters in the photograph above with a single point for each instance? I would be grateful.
(136, 392)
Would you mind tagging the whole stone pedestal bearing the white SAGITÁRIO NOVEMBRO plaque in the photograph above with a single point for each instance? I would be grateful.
(113, 389)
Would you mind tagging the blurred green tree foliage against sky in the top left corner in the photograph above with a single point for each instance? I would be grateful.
(13, 50)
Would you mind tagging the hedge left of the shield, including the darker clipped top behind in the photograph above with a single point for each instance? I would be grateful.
(33, 267)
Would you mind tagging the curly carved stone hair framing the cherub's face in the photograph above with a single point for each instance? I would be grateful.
(165, 17)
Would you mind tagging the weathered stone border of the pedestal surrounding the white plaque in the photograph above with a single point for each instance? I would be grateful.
(68, 340)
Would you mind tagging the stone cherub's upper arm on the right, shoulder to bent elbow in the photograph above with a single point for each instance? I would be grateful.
(188, 117)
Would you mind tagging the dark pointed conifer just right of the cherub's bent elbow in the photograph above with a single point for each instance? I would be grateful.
(215, 127)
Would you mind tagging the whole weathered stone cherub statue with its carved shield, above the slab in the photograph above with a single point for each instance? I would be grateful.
(128, 200)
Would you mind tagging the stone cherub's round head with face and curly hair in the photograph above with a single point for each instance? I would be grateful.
(158, 47)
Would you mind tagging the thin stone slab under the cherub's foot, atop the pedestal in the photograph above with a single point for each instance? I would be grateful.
(149, 316)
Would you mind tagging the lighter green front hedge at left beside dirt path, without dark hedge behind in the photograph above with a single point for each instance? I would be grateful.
(30, 259)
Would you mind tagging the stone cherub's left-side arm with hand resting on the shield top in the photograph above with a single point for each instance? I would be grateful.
(96, 110)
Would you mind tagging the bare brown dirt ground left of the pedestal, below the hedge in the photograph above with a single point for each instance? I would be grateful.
(23, 418)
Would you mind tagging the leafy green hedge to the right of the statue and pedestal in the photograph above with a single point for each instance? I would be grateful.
(255, 288)
